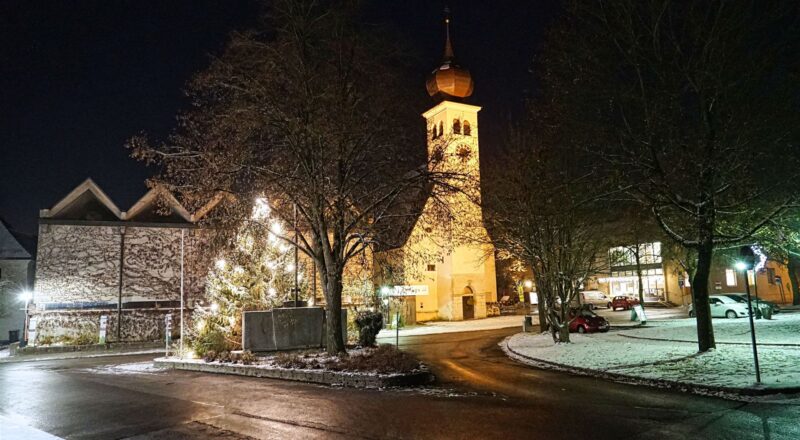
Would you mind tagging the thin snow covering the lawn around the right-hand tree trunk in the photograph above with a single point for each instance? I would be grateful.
(730, 365)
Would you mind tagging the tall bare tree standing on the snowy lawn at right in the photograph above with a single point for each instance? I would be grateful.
(693, 106)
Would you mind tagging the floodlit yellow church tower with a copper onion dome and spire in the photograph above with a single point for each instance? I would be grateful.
(459, 276)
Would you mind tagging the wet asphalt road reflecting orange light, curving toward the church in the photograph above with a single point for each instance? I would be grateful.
(481, 394)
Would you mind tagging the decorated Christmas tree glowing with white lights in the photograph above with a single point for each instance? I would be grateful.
(256, 273)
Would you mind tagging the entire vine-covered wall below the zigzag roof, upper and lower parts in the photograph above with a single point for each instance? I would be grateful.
(79, 264)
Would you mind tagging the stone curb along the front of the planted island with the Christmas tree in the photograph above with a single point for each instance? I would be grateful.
(335, 378)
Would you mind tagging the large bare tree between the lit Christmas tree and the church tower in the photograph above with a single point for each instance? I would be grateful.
(314, 114)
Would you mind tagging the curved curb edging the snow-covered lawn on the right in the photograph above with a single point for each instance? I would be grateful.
(732, 393)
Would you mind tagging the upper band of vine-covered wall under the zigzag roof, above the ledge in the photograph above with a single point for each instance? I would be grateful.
(82, 264)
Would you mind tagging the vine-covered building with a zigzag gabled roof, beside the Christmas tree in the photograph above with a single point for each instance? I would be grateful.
(96, 260)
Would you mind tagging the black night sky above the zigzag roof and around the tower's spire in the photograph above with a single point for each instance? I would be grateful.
(78, 78)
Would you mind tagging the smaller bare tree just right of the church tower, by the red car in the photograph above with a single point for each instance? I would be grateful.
(543, 209)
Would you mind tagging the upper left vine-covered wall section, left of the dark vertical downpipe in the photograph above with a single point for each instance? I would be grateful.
(77, 263)
